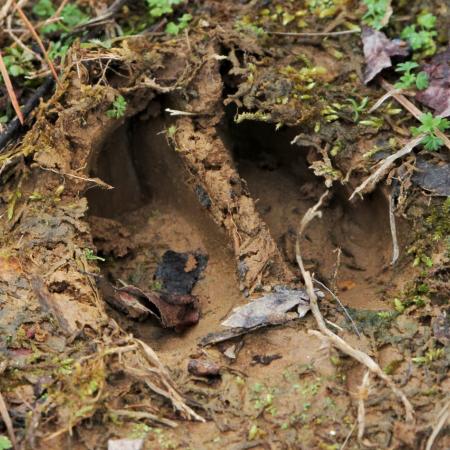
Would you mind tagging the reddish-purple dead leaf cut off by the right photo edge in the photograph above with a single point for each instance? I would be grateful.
(437, 94)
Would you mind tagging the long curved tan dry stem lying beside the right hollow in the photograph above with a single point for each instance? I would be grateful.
(334, 339)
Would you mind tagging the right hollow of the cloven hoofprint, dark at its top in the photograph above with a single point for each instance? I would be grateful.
(279, 178)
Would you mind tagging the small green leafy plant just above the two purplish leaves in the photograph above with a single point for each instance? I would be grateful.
(421, 35)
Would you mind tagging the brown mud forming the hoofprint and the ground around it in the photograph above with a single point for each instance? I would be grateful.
(200, 183)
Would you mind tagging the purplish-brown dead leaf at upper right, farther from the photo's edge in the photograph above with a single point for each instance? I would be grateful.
(378, 50)
